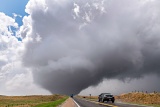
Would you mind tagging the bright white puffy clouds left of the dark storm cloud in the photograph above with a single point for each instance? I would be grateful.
(14, 77)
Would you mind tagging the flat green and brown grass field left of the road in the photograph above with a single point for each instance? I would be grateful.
(32, 101)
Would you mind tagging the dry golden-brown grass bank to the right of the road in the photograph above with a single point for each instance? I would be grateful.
(141, 98)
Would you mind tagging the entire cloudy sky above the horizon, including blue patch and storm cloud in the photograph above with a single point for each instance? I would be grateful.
(80, 47)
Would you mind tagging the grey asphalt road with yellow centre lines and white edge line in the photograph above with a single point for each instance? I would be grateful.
(87, 103)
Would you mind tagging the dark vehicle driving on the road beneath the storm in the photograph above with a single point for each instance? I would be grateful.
(106, 97)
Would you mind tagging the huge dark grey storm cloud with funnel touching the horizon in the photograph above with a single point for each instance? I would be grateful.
(73, 44)
